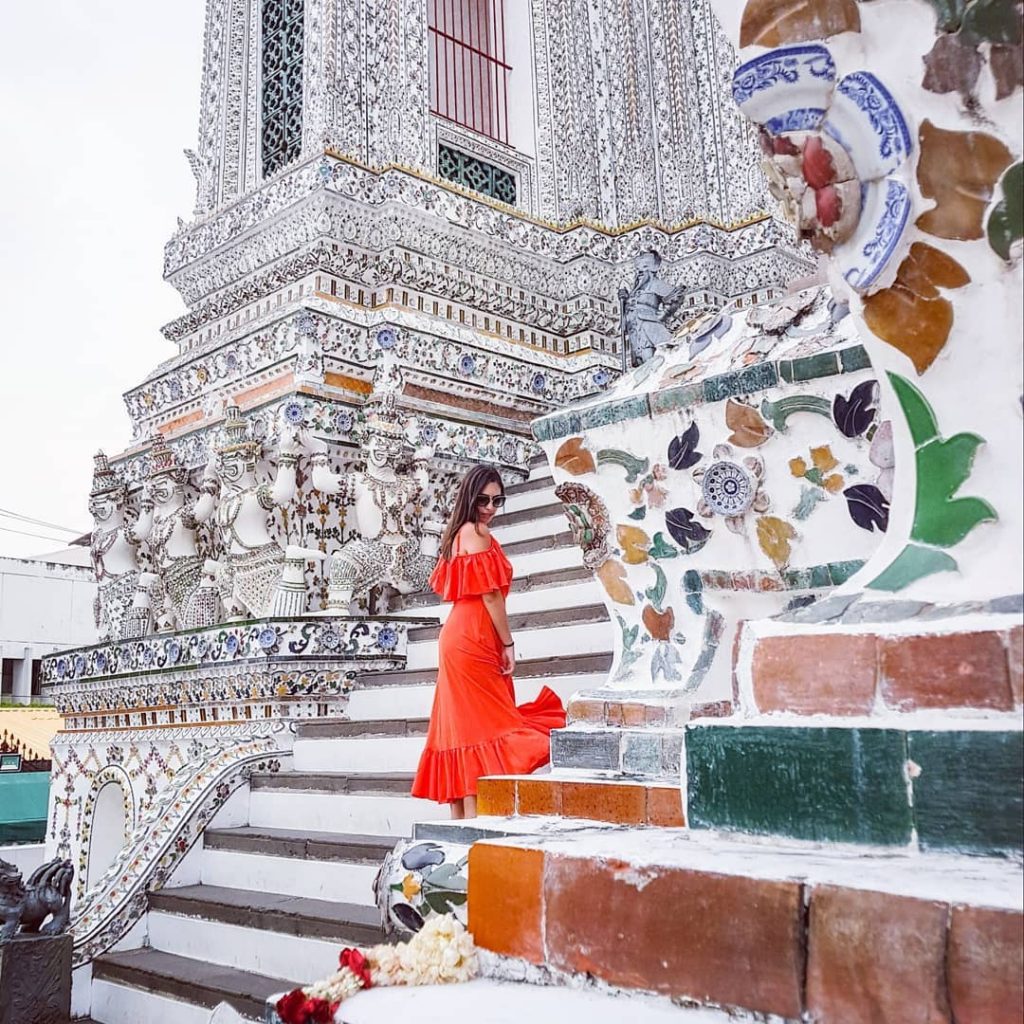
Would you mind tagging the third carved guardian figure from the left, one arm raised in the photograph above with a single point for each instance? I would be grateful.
(254, 566)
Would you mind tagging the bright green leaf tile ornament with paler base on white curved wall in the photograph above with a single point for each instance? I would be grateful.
(941, 519)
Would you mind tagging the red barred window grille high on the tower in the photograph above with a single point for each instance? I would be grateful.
(468, 68)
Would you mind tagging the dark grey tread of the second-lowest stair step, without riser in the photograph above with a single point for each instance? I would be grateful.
(273, 912)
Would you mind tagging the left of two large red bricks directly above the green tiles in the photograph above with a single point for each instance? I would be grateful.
(831, 674)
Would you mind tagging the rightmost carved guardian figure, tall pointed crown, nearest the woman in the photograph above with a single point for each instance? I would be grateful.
(386, 496)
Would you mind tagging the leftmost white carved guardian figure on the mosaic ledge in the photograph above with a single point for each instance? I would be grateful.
(114, 551)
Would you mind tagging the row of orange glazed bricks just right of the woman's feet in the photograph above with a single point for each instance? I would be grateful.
(616, 801)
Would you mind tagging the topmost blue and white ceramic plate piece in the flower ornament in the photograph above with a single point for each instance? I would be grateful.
(787, 90)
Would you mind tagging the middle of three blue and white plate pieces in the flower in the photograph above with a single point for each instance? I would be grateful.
(866, 121)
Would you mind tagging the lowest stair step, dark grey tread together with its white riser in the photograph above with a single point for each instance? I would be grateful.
(156, 988)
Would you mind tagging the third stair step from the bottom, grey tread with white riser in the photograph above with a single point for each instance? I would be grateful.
(296, 863)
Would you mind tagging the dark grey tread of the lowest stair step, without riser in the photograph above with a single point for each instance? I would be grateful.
(196, 982)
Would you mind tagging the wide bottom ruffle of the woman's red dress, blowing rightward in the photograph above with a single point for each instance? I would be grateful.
(446, 776)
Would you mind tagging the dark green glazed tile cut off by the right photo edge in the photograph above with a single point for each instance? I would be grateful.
(968, 796)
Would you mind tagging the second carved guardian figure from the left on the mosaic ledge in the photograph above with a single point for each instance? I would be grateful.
(169, 524)
